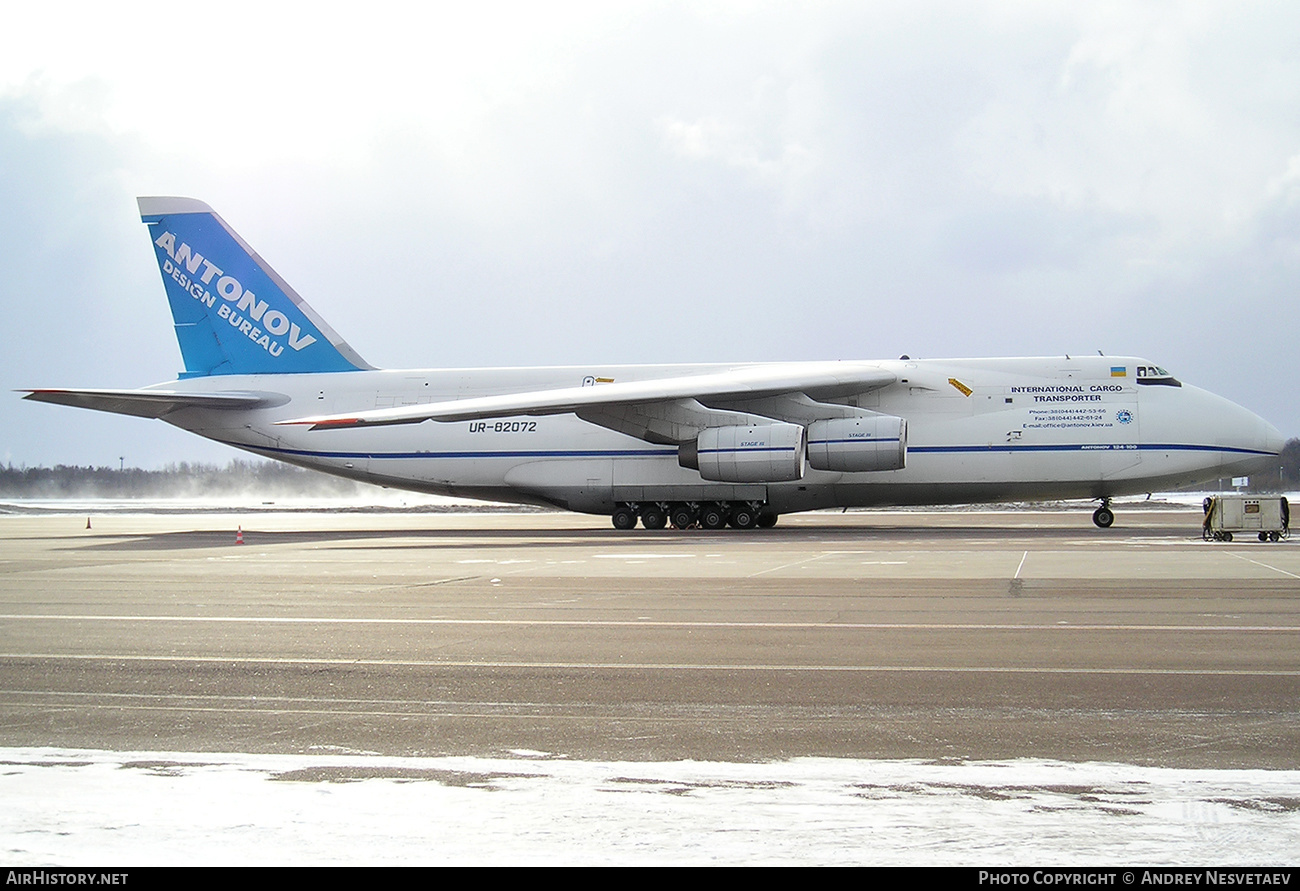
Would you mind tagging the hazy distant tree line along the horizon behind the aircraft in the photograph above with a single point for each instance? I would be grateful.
(276, 479)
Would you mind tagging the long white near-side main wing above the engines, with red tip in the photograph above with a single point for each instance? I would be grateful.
(816, 380)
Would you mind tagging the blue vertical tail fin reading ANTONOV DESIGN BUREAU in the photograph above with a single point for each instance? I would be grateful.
(235, 315)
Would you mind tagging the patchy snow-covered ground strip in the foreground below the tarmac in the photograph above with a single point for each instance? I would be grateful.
(72, 808)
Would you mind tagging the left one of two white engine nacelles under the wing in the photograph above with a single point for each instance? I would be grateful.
(773, 453)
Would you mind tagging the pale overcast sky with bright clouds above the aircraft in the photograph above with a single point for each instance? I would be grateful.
(554, 184)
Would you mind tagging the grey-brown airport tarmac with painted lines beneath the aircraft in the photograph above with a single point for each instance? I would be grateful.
(947, 635)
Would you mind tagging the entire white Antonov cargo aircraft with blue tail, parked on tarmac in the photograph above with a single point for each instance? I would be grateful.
(684, 445)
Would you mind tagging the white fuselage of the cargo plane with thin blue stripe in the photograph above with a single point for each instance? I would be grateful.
(978, 430)
